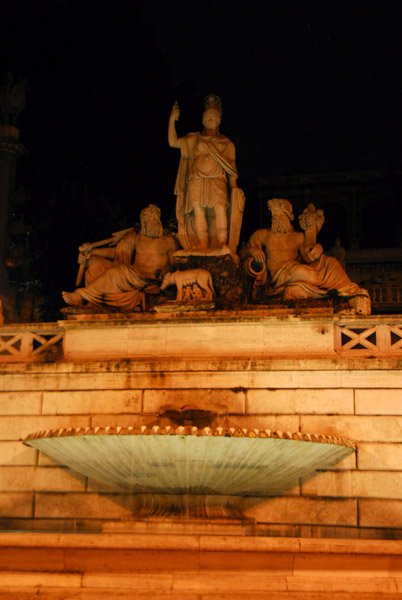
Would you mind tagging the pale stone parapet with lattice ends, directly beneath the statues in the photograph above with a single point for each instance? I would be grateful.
(259, 335)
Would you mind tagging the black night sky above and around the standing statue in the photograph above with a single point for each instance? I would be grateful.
(306, 87)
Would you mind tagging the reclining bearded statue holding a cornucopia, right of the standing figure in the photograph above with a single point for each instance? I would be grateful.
(296, 264)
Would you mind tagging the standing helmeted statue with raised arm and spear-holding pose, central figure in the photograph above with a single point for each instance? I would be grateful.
(206, 218)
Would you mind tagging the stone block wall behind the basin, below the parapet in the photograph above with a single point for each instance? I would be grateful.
(358, 398)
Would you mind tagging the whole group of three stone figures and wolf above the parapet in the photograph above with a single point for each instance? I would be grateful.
(132, 269)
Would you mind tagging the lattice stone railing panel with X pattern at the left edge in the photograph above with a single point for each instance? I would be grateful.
(37, 342)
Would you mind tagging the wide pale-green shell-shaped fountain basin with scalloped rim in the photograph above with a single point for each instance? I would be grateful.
(193, 461)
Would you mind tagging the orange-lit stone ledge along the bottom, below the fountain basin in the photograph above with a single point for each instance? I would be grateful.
(196, 567)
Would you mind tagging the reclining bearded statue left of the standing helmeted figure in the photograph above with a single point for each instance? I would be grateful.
(132, 265)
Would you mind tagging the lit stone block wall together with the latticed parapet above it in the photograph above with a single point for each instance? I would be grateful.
(289, 373)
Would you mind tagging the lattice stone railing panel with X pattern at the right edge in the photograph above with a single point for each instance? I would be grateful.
(369, 338)
